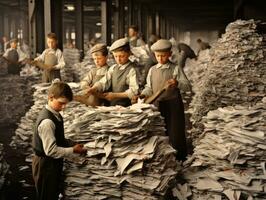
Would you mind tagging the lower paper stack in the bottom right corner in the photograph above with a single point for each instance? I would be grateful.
(229, 160)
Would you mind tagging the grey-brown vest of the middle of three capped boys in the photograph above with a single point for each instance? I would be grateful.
(119, 84)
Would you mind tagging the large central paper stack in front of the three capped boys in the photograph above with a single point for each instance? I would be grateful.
(128, 155)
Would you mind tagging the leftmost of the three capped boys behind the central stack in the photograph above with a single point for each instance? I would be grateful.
(99, 54)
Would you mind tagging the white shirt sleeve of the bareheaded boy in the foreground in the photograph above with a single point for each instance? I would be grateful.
(46, 131)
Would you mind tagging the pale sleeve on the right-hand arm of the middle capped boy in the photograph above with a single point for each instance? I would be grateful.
(132, 83)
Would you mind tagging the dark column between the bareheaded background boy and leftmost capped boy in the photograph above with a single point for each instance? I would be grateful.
(79, 27)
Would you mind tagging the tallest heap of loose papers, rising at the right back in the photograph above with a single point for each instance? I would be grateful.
(235, 73)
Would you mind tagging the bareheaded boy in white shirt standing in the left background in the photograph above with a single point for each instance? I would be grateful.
(52, 58)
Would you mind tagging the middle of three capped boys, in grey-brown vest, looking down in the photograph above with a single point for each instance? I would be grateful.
(121, 78)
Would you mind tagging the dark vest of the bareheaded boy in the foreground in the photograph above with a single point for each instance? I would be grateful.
(59, 132)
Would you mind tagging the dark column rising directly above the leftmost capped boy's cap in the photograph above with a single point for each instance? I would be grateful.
(106, 29)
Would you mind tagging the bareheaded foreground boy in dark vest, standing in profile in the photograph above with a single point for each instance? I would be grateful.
(49, 143)
